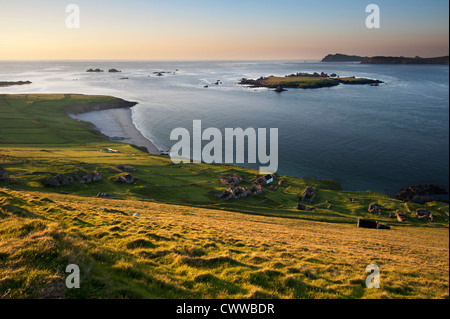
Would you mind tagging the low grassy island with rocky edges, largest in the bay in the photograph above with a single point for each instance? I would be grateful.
(305, 81)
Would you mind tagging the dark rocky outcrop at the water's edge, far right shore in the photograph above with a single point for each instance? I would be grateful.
(421, 194)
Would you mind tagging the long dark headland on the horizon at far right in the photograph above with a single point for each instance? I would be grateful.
(444, 60)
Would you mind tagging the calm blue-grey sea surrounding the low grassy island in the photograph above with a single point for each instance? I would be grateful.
(379, 138)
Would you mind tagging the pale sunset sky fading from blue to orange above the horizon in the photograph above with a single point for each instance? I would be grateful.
(220, 30)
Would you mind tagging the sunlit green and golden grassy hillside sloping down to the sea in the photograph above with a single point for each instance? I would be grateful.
(187, 242)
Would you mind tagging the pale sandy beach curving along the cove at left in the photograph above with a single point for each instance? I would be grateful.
(118, 125)
